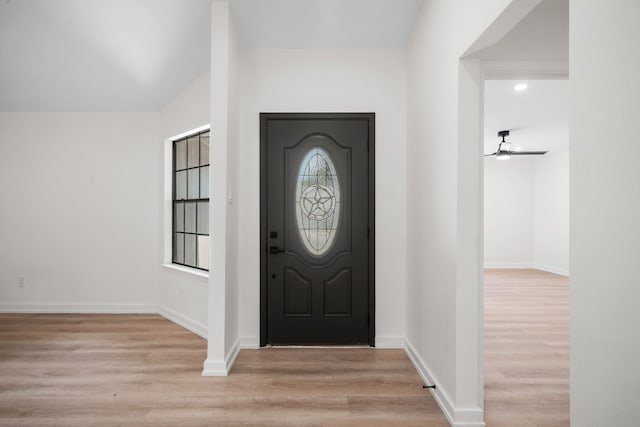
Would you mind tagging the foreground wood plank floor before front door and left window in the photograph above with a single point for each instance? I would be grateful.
(111, 370)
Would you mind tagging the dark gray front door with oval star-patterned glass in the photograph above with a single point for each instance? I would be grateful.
(317, 212)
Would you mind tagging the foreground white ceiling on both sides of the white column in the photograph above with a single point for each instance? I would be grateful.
(136, 55)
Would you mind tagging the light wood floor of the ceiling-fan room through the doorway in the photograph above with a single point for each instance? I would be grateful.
(526, 342)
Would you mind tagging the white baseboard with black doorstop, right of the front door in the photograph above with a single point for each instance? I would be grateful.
(472, 417)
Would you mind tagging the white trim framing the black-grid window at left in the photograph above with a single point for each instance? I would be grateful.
(167, 202)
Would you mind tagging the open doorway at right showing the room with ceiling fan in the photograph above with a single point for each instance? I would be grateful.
(526, 251)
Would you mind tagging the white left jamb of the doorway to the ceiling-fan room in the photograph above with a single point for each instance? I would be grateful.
(469, 280)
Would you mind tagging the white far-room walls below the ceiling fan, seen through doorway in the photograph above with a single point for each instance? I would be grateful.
(526, 217)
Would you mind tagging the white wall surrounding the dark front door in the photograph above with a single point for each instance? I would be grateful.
(326, 80)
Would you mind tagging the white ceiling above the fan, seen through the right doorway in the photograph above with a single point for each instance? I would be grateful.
(537, 117)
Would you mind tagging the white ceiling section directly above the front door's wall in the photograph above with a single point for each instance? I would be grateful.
(324, 23)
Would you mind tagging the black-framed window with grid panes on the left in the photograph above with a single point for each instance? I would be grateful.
(191, 201)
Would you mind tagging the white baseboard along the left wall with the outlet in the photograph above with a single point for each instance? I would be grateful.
(79, 308)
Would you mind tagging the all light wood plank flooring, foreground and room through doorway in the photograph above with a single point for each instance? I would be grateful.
(110, 370)
